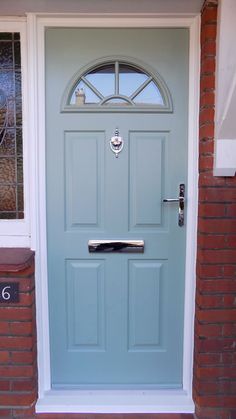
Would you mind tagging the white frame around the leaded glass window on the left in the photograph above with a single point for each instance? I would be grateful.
(16, 233)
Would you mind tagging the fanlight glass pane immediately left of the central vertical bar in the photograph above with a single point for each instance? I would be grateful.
(103, 78)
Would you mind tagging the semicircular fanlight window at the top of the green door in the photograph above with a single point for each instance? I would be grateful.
(117, 86)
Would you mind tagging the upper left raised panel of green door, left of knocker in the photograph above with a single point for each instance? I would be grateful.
(84, 175)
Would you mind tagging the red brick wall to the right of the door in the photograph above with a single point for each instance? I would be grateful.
(214, 385)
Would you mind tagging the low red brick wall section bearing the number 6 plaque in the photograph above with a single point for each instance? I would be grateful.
(18, 367)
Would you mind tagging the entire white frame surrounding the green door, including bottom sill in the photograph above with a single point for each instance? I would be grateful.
(178, 401)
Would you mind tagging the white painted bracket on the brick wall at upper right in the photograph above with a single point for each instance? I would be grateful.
(225, 121)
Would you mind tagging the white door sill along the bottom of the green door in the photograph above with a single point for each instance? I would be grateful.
(115, 401)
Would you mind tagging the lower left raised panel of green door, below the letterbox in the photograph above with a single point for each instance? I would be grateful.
(85, 305)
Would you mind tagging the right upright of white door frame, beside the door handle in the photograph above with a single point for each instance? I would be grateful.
(192, 202)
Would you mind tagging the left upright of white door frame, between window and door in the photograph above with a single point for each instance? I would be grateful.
(39, 236)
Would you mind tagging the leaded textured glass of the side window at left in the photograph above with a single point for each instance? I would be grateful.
(11, 152)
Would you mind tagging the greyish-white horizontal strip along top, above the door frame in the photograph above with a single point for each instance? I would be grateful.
(20, 7)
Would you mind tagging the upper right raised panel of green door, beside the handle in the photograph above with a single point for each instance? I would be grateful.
(147, 175)
